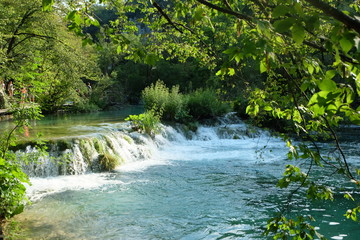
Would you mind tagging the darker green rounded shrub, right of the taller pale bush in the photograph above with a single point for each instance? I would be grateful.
(203, 104)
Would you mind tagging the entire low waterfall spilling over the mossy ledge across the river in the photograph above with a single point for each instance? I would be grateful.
(82, 155)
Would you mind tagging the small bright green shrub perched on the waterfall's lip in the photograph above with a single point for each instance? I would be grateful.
(148, 122)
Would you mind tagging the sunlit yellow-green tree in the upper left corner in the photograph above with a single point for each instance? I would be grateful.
(37, 51)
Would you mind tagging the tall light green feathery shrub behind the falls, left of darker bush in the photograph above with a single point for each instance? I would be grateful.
(170, 102)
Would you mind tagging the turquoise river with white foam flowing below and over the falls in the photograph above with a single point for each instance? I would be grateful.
(217, 183)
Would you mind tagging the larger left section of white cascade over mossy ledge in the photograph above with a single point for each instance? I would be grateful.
(81, 155)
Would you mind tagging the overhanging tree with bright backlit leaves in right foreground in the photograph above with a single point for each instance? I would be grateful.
(307, 51)
